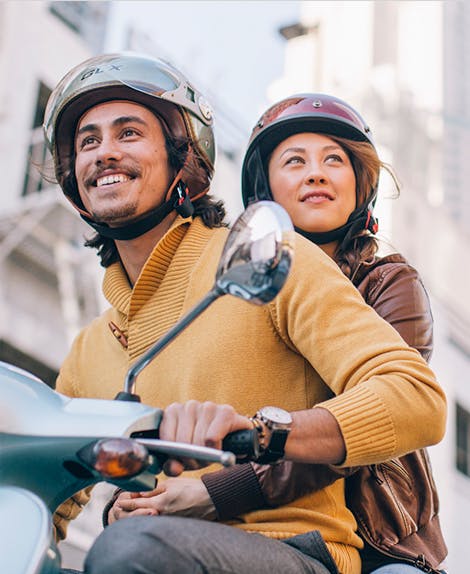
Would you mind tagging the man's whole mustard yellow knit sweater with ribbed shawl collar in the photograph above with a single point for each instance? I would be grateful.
(316, 343)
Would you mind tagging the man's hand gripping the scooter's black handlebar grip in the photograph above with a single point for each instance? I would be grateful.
(204, 424)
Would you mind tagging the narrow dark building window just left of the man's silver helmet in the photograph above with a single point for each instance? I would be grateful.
(39, 160)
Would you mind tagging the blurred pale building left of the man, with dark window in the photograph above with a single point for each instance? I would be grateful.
(48, 288)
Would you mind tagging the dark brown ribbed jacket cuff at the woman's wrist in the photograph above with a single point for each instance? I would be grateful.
(234, 490)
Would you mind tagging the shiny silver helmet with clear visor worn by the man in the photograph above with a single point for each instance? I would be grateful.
(154, 83)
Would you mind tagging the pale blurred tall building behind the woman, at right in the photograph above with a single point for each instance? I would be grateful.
(404, 65)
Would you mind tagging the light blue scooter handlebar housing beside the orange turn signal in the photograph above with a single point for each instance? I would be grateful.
(41, 432)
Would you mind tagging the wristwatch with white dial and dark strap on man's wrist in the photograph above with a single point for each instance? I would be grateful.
(274, 425)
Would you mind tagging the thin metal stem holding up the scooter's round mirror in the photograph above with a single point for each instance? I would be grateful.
(140, 364)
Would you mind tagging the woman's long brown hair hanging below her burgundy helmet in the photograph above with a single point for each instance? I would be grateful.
(362, 247)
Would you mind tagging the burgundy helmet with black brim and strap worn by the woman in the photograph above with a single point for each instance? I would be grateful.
(318, 113)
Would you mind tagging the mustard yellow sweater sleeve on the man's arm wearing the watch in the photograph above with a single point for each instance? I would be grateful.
(387, 400)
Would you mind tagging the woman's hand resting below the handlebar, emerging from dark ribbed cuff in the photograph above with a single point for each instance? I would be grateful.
(174, 496)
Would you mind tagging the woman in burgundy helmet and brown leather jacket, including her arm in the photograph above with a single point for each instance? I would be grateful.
(314, 155)
